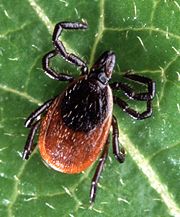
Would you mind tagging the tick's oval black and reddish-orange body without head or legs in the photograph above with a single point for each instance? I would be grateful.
(76, 126)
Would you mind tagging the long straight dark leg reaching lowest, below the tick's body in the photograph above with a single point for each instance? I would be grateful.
(97, 174)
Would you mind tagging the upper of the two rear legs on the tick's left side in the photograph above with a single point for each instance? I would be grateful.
(35, 115)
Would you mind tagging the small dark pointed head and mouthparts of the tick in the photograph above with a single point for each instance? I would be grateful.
(103, 67)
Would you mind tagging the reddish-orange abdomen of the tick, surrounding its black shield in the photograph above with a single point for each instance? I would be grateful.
(67, 150)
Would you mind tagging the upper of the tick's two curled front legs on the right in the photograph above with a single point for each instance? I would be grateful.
(129, 91)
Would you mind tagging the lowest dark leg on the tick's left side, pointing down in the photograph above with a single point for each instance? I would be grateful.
(29, 146)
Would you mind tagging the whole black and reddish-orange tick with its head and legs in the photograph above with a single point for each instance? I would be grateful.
(75, 126)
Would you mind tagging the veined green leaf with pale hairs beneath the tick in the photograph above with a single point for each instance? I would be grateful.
(145, 36)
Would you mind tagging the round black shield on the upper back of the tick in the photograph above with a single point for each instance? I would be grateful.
(84, 105)
